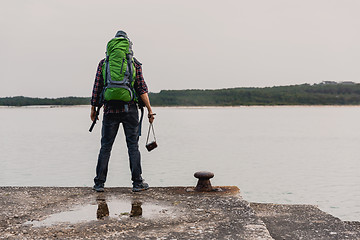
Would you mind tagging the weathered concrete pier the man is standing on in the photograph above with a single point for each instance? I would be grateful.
(158, 213)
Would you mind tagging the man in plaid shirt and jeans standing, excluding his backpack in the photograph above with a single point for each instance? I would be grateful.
(114, 114)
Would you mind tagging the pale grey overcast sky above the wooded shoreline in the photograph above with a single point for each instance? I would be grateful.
(51, 48)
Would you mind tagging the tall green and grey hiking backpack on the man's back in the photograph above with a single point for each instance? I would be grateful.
(119, 70)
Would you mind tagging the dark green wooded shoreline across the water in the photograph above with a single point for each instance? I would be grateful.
(325, 93)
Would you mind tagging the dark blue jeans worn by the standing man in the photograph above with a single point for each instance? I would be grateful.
(110, 126)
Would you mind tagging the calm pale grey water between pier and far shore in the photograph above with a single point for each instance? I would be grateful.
(305, 155)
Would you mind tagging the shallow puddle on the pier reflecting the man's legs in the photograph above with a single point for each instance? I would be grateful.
(104, 209)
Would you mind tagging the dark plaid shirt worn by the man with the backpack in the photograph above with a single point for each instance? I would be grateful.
(139, 86)
